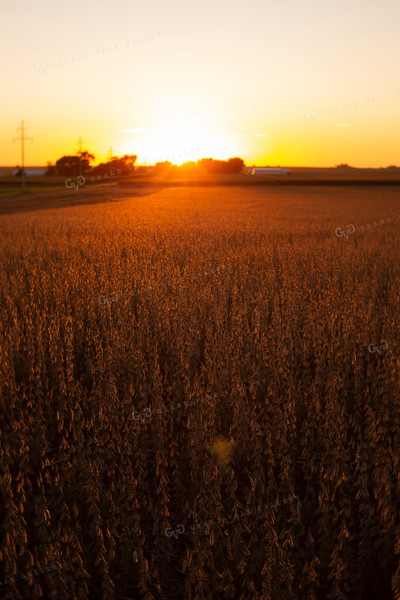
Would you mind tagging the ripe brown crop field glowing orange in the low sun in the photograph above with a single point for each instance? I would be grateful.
(66, 357)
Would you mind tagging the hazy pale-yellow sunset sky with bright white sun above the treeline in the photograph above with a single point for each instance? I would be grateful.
(289, 82)
